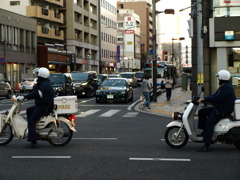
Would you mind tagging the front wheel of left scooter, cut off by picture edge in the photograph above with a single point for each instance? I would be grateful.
(6, 135)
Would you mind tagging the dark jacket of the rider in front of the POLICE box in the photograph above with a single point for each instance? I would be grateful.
(47, 91)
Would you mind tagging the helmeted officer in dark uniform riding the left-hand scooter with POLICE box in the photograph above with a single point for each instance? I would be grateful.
(43, 94)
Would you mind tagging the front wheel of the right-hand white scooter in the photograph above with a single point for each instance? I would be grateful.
(175, 141)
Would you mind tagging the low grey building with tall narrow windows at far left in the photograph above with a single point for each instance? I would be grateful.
(18, 47)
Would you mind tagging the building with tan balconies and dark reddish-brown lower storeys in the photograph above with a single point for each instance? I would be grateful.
(50, 35)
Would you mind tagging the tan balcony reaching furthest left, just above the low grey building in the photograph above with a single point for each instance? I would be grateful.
(38, 12)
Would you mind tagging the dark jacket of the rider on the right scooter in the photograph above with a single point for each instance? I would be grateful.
(223, 99)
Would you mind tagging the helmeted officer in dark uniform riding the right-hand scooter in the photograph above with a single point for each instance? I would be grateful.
(223, 104)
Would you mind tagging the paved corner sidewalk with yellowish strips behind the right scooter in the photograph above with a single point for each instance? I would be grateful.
(166, 108)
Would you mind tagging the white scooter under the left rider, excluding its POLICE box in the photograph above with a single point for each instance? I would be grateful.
(57, 130)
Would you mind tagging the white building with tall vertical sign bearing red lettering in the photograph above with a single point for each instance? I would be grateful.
(129, 40)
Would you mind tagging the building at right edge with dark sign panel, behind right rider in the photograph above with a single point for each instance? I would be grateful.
(221, 43)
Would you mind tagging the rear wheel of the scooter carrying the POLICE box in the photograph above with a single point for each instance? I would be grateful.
(64, 134)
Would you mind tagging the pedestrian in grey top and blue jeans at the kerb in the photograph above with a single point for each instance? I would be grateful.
(146, 89)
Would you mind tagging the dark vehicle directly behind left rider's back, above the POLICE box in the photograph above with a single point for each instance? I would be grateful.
(62, 84)
